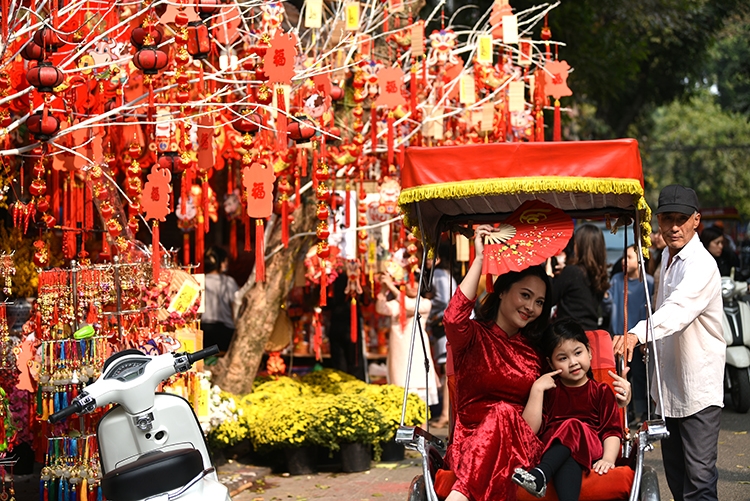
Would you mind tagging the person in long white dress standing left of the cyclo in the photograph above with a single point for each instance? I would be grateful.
(422, 381)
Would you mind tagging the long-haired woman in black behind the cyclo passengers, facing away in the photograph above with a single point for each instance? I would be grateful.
(579, 288)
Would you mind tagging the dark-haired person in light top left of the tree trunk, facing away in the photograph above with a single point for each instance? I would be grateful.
(217, 321)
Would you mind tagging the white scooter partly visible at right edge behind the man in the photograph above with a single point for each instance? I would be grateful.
(736, 325)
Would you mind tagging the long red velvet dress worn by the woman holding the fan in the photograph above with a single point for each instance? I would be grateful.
(494, 374)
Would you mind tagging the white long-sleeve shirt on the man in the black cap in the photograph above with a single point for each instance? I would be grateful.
(688, 333)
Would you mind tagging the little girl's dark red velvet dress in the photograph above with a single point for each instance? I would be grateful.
(581, 418)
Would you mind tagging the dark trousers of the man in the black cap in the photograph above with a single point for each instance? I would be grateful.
(689, 455)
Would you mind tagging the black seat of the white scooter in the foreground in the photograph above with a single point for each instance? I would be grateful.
(153, 473)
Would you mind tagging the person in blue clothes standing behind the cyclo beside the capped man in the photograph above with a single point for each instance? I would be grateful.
(637, 311)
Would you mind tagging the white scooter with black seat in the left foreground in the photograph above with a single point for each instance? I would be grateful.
(151, 445)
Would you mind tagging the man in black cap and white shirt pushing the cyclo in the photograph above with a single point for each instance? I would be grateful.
(687, 331)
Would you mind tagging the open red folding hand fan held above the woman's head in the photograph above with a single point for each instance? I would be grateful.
(534, 232)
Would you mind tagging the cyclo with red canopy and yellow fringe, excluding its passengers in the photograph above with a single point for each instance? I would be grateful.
(452, 188)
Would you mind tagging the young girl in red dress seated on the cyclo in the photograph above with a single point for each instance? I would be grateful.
(577, 418)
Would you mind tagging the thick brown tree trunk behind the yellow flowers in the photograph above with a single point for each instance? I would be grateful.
(262, 302)
